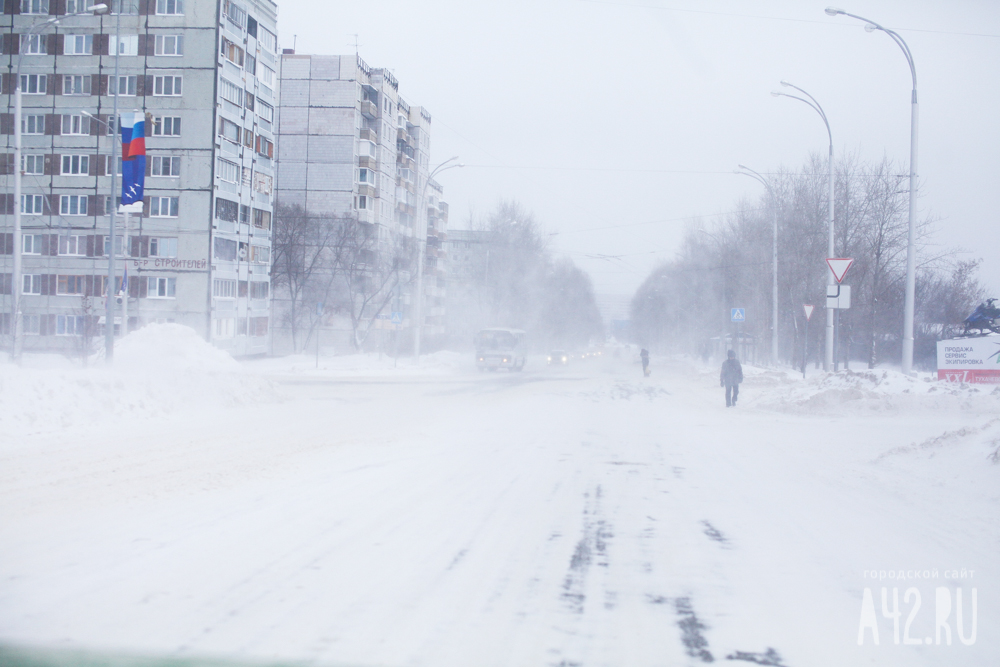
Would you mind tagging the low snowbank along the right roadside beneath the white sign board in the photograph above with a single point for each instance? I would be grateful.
(865, 390)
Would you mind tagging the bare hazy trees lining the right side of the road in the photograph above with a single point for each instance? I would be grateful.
(685, 302)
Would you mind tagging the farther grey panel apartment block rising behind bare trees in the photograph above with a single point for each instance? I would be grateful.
(349, 145)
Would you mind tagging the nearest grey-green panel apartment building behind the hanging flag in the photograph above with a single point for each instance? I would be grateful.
(204, 72)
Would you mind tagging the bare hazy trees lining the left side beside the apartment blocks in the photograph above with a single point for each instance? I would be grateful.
(359, 274)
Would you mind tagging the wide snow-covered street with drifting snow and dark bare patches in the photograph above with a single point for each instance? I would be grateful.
(560, 516)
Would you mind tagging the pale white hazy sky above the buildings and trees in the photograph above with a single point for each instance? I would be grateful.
(618, 121)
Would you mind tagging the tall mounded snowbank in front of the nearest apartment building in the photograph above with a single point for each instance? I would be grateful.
(157, 370)
